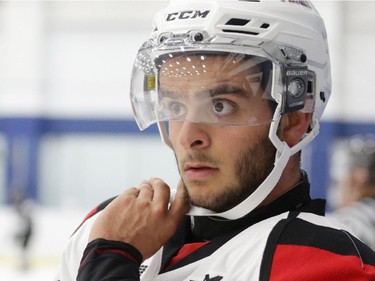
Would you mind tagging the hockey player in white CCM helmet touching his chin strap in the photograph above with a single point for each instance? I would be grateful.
(237, 88)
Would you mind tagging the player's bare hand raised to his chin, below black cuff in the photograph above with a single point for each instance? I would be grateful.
(142, 216)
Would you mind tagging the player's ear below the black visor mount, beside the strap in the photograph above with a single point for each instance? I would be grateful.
(293, 126)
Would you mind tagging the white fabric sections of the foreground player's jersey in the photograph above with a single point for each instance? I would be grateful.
(229, 262)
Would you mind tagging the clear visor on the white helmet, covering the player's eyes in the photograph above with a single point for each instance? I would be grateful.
(211, 87)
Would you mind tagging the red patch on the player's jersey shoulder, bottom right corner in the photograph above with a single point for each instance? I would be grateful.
(293, 262)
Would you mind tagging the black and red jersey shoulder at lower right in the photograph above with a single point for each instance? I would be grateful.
(304, 250)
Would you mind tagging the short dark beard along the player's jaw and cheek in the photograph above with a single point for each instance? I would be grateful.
(252, 168)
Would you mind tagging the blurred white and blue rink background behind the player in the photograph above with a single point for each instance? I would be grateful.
(67, 138)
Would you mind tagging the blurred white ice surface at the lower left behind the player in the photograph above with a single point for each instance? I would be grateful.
(50, 228)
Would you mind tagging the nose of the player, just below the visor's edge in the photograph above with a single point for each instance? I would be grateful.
(193, 135)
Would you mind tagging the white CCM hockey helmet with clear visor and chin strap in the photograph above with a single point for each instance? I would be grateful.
(282, 45)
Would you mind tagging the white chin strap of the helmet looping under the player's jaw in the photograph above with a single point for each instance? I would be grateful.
(283, 153)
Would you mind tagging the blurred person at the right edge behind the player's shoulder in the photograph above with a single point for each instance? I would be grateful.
(356, 189)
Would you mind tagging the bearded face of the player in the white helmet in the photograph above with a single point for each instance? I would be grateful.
(220, 163)
